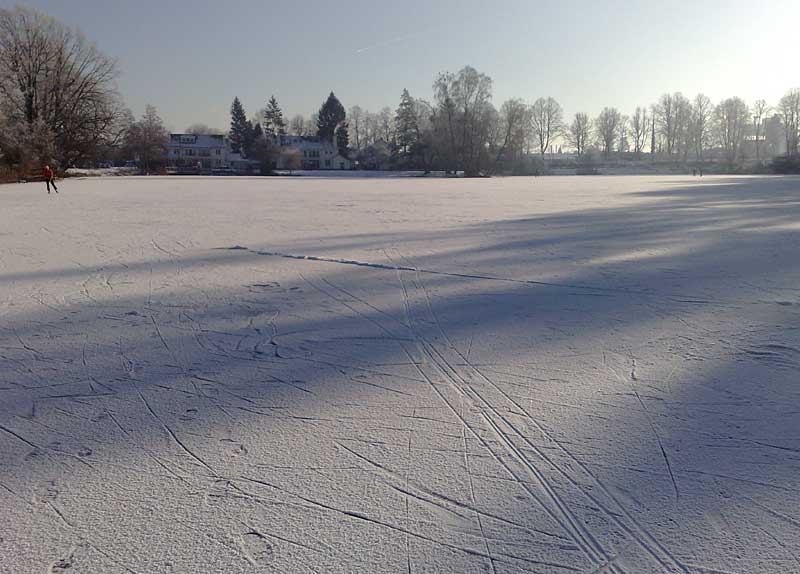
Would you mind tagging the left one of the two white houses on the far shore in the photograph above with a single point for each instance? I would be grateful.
(205, 153)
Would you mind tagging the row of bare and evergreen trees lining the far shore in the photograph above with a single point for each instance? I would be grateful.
(59, 105)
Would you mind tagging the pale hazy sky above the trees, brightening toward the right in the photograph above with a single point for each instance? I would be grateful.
(191, 57)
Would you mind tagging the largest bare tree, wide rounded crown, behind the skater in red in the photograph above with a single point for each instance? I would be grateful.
(52, 76)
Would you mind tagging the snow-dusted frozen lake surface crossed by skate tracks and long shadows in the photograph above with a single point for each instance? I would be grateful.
(347, 375)
